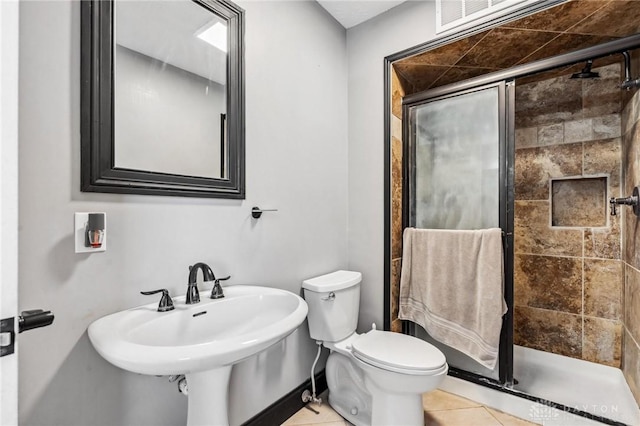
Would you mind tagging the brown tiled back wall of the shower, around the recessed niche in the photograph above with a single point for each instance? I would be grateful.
(568, 273)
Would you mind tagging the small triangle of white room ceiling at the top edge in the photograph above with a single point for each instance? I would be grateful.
(353, 12)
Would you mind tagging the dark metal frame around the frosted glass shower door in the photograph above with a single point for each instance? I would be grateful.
(506, 158)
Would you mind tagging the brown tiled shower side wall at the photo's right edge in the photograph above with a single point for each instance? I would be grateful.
(631, 244)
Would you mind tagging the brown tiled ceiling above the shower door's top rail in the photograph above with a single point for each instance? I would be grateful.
(567, 27)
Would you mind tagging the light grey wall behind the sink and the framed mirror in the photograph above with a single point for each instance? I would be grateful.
(296, 105)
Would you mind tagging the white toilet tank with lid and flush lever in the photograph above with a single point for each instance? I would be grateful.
(334, 301)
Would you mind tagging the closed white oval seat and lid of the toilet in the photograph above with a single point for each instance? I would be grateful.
(398, 353)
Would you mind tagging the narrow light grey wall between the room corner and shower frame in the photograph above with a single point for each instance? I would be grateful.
(402, 27)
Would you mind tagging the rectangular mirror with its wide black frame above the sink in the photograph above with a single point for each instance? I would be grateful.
(162, 98)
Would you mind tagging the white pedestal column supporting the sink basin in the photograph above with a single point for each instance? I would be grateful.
(208, 398)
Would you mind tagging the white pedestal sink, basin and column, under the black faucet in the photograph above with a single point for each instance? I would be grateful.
(201, 341)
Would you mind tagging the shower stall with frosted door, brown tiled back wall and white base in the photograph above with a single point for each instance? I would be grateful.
(537, 151)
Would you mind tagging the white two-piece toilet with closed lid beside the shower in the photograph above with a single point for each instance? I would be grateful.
(376, 378)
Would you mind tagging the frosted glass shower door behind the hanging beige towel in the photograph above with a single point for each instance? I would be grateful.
(456, 172)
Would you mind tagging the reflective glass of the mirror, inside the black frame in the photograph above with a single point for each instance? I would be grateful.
(170, 94)
